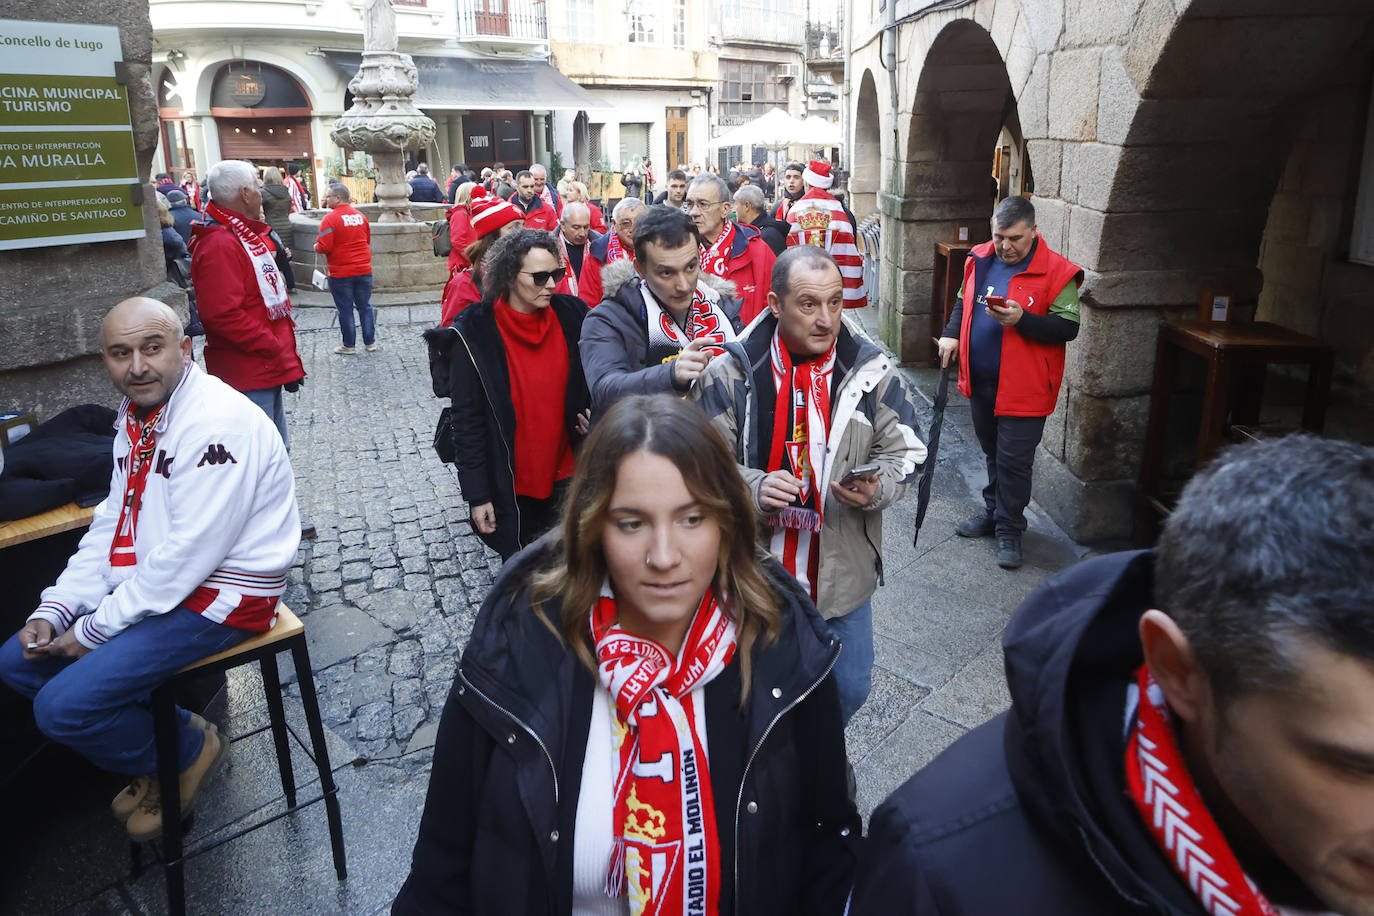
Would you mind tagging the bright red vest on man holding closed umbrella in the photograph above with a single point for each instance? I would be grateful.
(1028, 382)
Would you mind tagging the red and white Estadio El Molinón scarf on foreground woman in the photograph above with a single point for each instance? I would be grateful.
(667, 852)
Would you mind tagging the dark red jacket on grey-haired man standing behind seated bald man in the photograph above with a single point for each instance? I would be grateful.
(244, 345)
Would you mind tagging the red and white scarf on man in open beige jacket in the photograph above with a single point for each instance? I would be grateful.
(802, 428)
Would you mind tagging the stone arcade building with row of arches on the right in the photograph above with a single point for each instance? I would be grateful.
(1170, 148)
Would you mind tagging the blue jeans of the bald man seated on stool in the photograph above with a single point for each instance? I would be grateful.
(98, 705)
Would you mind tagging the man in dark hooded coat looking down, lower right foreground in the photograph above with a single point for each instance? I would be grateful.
(1192, 730)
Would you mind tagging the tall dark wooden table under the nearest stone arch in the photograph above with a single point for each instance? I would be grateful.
(1232, 352)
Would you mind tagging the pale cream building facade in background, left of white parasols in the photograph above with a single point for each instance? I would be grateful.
(651, 64)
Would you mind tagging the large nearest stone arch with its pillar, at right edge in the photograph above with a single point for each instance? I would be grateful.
(1167, 192)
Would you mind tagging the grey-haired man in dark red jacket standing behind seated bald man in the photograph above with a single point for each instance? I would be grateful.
(241, 295)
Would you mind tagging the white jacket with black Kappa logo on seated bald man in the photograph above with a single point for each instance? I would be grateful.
(218, 528)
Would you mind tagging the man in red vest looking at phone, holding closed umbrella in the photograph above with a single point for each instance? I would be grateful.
(1017, 308)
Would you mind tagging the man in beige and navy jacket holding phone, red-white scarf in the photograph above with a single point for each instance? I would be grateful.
(806, 400)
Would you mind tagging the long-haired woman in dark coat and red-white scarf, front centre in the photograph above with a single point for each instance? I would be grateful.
(644, 720)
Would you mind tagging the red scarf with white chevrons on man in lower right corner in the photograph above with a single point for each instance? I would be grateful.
(1159, 782)
